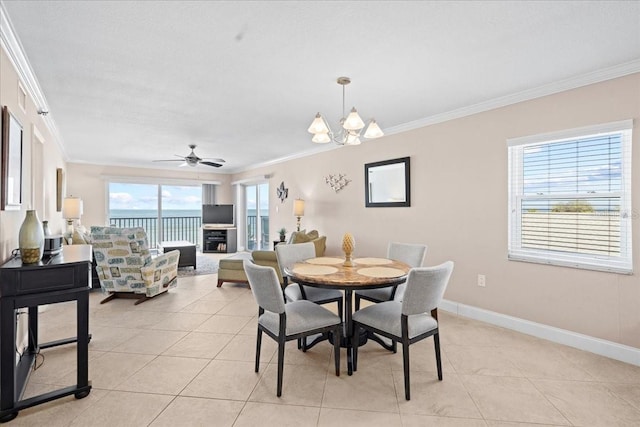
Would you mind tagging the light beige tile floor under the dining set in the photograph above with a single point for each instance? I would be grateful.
(187, 359)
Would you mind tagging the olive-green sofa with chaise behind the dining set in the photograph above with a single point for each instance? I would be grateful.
(231, 269)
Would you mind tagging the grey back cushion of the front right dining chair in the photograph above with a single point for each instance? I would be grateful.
(425, 288)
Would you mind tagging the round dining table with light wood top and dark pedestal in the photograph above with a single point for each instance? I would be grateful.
(364, 273)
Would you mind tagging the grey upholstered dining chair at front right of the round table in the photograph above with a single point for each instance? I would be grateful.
(409, 321)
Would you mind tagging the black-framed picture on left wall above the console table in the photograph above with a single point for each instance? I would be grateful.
(11, 167)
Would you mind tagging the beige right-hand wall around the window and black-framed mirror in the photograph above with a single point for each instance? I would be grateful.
(459, 209)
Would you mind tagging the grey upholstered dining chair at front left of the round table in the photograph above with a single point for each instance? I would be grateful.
(286, 322)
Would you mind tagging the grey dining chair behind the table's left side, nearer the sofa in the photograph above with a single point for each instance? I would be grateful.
(287, 256)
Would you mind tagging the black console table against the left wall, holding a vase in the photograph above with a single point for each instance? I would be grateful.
(64, 277)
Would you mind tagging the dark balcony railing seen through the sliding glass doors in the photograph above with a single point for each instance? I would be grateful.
(189, 228)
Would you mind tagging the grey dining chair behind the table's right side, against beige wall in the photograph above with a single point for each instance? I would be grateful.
(409, 253)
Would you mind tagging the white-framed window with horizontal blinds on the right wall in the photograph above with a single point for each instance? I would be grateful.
(570, 198)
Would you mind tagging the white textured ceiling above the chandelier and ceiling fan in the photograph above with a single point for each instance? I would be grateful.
(131, 81)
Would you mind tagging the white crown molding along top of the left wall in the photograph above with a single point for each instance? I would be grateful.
(11, 44)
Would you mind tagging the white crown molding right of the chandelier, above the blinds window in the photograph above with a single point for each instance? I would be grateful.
(598, 76)
